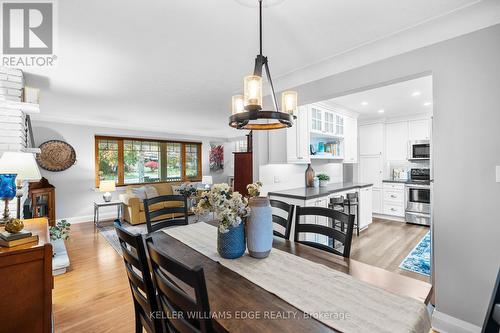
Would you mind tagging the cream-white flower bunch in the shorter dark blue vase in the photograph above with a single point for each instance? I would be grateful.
(230, 207)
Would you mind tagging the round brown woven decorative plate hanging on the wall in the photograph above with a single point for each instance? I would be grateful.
(56, 156)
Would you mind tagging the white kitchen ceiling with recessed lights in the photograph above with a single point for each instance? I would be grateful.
(397, 100)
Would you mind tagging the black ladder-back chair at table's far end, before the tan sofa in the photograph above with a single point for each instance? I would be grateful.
(163, 211)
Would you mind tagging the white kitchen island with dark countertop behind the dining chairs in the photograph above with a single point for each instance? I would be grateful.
(320, 197)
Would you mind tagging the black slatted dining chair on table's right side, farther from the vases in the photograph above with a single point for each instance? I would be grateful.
(344, 237)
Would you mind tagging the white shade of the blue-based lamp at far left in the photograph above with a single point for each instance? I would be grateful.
(22, 164)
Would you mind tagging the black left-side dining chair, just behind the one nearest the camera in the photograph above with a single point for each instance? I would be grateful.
(141, 284)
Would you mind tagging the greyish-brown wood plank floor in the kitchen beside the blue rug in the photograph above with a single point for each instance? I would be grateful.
(386, 243)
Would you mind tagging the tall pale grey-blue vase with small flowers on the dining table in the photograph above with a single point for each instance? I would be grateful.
(259, 223)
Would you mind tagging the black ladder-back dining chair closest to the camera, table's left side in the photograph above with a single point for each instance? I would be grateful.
(182, 312)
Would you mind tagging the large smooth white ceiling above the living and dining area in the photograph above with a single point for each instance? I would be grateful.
(173, 65)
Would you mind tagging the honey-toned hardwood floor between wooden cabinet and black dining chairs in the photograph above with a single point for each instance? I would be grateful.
(94, 296)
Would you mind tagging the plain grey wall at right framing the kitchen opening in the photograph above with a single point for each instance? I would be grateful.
(466, 77)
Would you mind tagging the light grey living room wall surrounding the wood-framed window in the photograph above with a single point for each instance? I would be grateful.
(75, 191)
